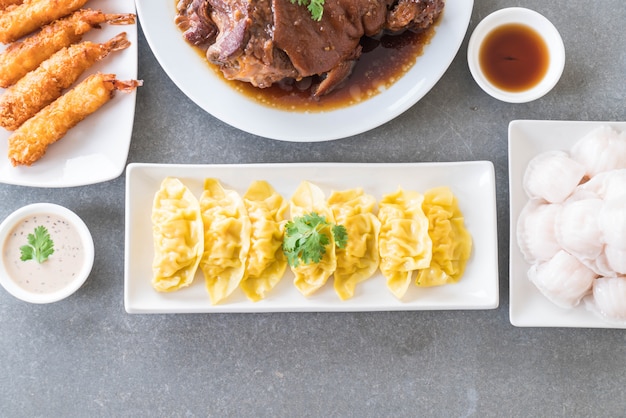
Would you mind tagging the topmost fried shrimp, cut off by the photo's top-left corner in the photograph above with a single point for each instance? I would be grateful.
(29, 16)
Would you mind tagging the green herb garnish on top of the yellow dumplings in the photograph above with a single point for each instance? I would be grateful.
(306, 238)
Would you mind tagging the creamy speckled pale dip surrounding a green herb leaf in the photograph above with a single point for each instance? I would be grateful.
(59, 269)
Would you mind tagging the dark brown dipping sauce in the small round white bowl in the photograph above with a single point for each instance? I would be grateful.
(514, 57)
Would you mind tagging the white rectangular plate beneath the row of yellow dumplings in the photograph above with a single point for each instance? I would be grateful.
(472, 182)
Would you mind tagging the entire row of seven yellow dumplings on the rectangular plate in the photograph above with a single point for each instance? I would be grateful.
(237, 242)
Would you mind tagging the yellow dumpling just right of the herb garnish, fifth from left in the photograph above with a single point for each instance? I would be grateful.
(358, 261)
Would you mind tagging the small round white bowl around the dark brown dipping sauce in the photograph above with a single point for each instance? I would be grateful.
(543, 27)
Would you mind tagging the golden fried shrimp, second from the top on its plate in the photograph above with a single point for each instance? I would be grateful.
(24, 56)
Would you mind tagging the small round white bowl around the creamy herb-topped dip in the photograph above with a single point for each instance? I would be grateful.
(86, 241)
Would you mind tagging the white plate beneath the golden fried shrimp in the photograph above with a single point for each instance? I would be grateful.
(97, 148)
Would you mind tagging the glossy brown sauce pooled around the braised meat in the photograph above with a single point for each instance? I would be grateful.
(382, 62)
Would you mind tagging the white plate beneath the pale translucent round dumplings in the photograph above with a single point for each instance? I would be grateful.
(527, 138)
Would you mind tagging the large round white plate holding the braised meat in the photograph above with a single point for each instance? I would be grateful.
(188, 70)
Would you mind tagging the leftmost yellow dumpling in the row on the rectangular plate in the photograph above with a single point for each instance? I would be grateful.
(177, 235)
